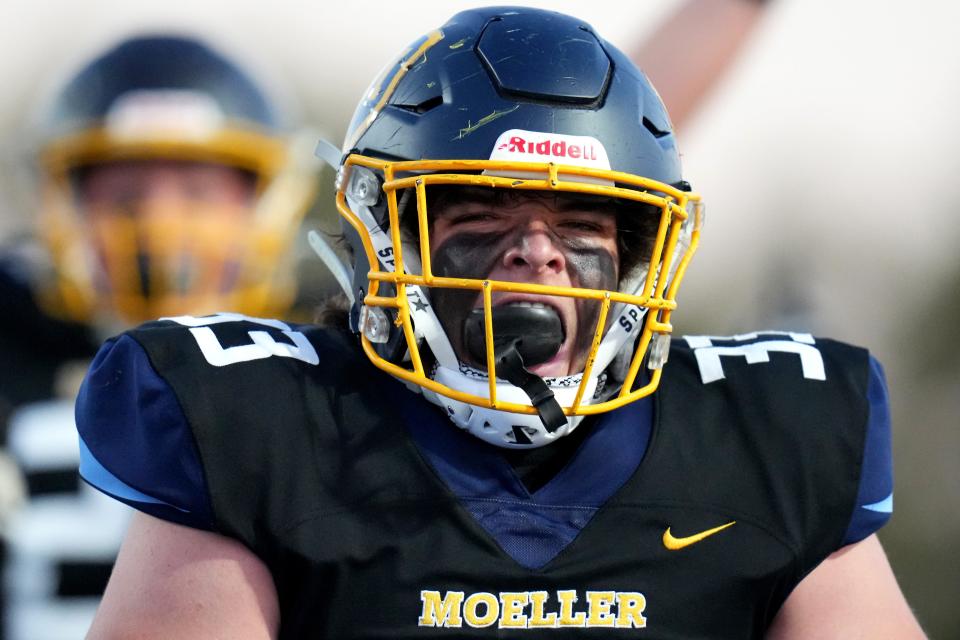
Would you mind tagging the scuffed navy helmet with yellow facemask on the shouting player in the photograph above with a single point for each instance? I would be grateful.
(513, 101)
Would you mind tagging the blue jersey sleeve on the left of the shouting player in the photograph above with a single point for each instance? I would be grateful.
(135, 442)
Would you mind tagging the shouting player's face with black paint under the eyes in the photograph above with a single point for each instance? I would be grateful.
(531, 237)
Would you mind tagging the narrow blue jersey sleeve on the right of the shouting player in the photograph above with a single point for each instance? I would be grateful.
(875, 494)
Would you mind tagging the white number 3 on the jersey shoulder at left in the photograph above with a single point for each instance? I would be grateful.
(262, 346)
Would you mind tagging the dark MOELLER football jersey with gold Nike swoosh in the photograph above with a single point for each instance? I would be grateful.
(689, 514)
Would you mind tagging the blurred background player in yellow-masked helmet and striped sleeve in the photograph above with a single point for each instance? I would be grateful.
(168, 185)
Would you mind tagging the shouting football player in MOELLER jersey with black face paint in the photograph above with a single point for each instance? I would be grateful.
(493, 442)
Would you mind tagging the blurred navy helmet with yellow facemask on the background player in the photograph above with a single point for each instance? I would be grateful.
(171, 100)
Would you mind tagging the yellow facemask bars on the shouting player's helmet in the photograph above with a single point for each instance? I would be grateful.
(411, 278)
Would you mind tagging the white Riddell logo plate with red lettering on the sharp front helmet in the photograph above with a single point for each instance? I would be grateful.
(536, 146)
